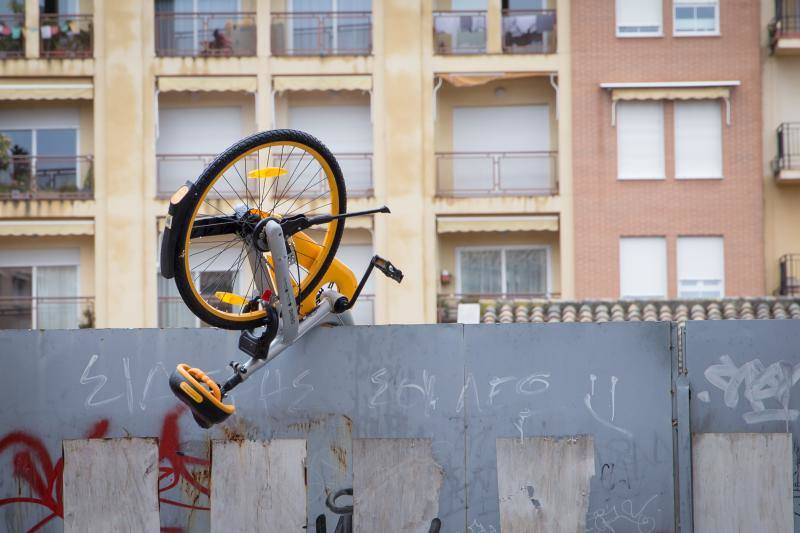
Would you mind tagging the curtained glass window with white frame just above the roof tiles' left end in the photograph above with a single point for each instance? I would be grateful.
(509, 271)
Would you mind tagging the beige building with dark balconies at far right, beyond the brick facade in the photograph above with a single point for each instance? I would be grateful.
(780, 29)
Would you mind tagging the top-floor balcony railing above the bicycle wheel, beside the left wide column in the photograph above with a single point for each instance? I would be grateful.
(205, 34)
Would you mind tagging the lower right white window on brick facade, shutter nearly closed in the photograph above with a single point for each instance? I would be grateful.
(701, 267)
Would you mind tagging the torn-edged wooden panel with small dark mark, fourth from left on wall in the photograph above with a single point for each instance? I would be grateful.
(543, 483)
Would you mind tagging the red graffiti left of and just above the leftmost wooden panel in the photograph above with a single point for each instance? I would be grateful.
(33, 465)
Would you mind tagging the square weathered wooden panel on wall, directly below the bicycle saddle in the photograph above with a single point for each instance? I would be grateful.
(258, 485)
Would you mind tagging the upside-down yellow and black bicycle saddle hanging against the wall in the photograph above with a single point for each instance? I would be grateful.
(198, 391)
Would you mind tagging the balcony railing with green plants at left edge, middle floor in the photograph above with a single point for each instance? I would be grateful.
(25, 177)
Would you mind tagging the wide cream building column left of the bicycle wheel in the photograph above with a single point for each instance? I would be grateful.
(119, 147)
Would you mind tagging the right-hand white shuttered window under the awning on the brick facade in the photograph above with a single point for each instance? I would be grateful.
(698, 139)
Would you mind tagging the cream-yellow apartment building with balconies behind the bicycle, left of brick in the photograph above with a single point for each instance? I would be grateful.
(455, 114)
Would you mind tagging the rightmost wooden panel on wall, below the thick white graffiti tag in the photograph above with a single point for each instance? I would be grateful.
(742, 482)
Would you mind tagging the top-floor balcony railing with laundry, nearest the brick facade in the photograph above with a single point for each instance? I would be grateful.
(529, 31)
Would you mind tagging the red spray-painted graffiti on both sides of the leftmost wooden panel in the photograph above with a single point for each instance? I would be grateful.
(32, 465)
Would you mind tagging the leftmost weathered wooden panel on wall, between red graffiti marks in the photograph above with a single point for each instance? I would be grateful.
(111, 485)
